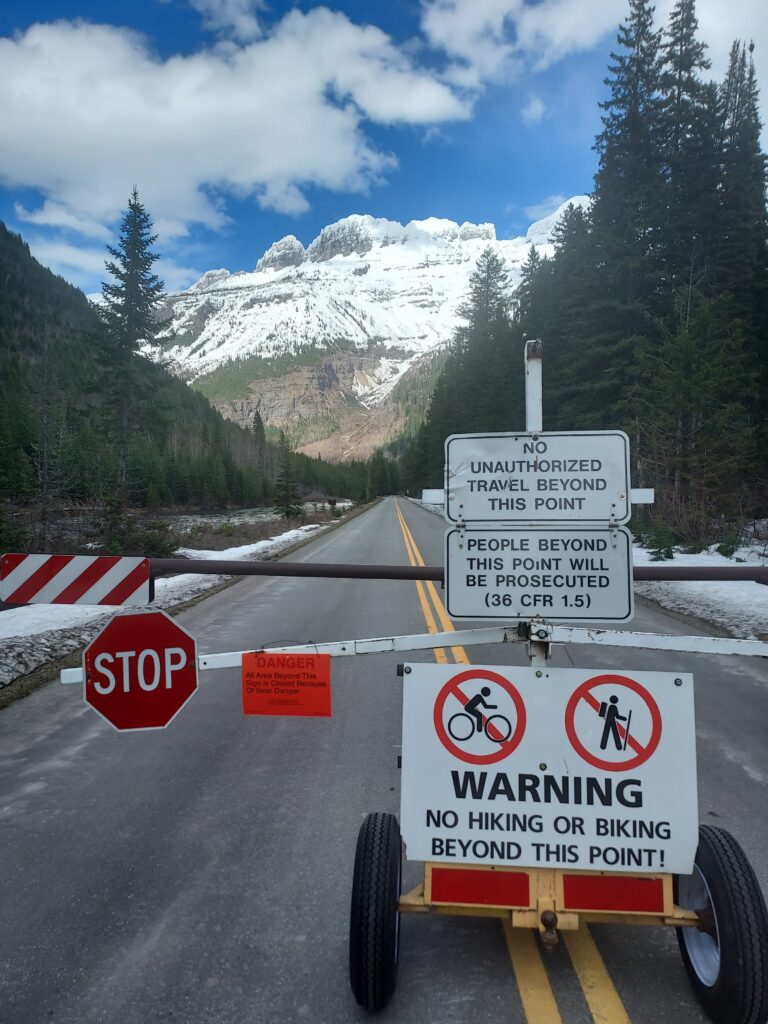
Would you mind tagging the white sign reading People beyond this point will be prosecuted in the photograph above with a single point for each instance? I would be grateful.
(568, 574)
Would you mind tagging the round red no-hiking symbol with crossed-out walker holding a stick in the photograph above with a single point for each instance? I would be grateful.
(613, 722)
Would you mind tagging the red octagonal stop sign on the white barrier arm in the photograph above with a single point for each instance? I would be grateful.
(141, 671)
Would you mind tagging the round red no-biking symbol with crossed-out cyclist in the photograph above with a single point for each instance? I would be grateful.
(480, 717)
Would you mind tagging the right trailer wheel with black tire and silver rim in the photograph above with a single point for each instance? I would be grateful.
(727, 958)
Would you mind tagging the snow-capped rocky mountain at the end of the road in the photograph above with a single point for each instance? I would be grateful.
(374, 295)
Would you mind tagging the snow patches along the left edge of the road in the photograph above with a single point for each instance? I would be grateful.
(39, 633)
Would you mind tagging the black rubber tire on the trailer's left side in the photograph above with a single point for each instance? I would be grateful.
(375, 919)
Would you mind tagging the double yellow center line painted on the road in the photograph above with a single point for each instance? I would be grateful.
(533, 983)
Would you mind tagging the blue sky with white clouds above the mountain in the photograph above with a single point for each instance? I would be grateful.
(241, 121)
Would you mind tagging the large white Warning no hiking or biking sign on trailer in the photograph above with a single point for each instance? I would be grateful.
(578, 769)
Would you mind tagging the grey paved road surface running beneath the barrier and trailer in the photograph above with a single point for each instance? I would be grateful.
(203, 874)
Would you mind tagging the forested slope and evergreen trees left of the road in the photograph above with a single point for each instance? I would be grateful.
(87, 420)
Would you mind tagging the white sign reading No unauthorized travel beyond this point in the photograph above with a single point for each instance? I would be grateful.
(546, 478)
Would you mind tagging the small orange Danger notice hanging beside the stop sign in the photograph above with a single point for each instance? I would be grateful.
(287, 685)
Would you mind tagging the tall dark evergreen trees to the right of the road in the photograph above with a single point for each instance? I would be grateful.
(654, 310)
